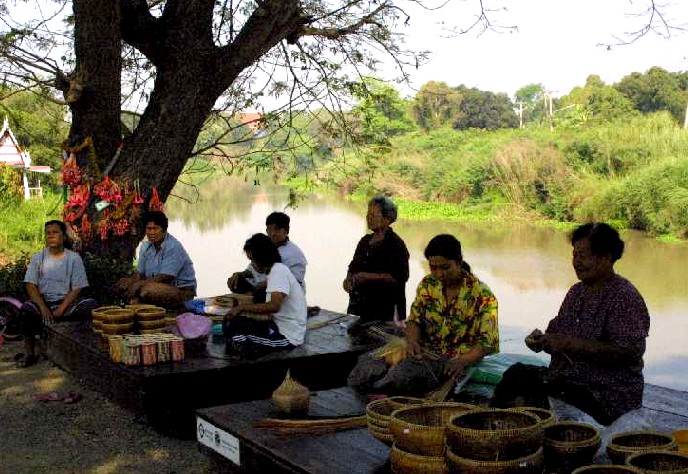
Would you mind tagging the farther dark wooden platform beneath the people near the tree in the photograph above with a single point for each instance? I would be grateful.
(169, 393)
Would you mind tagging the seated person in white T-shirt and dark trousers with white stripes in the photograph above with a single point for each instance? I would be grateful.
(280, 322)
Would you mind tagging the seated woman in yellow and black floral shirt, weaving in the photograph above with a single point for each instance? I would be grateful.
(452, 325)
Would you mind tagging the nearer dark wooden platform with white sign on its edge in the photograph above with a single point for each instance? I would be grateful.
(228, 435)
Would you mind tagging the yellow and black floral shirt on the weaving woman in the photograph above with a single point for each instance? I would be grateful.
(452, 328)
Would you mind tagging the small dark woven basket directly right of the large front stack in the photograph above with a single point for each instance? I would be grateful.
(568, 445)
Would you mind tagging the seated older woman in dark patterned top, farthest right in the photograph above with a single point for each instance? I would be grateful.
(597, 340)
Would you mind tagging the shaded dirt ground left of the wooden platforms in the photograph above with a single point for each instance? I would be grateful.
(90, 436)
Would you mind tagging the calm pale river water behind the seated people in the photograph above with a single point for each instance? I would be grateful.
(527, 267)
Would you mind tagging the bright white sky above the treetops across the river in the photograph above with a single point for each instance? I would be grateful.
(557, 44)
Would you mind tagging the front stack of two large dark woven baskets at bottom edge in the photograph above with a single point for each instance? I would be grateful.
(494, 440)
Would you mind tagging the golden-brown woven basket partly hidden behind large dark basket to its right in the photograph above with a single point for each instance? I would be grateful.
(420, 429)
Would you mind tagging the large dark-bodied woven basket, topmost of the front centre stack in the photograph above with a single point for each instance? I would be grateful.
(492, 434)
